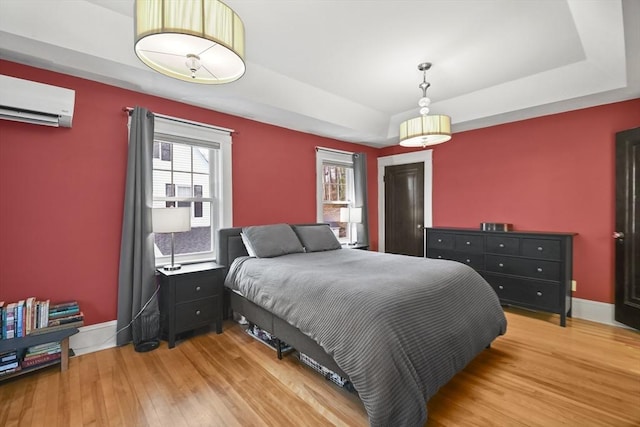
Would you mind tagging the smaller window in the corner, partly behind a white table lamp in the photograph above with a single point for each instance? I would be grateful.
(335, 191)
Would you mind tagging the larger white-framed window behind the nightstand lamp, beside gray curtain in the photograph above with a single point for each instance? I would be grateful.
(191, 168)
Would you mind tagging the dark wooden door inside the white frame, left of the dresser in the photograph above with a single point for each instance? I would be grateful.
(404, 209)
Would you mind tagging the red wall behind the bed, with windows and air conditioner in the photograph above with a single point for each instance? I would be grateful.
(61, 190)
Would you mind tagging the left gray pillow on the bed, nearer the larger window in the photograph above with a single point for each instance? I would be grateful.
(270, 241)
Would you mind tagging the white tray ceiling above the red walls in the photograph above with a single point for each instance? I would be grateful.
(348, 69)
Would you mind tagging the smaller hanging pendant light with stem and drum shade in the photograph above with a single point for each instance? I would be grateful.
(425, 130)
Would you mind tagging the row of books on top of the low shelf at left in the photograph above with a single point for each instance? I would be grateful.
(32, 317)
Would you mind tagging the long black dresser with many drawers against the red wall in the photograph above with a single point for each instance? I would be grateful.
(527, 269)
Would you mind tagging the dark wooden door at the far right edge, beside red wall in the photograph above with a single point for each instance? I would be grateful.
(627, 234)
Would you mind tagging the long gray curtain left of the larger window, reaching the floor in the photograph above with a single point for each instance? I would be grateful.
(136, 280)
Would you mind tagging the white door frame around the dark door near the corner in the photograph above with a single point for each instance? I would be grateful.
(425, 157)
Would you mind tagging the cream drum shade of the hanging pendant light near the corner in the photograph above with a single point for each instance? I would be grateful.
(425, 130)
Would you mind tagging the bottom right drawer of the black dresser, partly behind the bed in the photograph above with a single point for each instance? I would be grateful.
(527, 293)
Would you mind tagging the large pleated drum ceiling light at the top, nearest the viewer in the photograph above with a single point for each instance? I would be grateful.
(200, 41)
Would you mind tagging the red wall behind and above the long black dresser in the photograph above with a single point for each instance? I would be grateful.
(553, 173)
